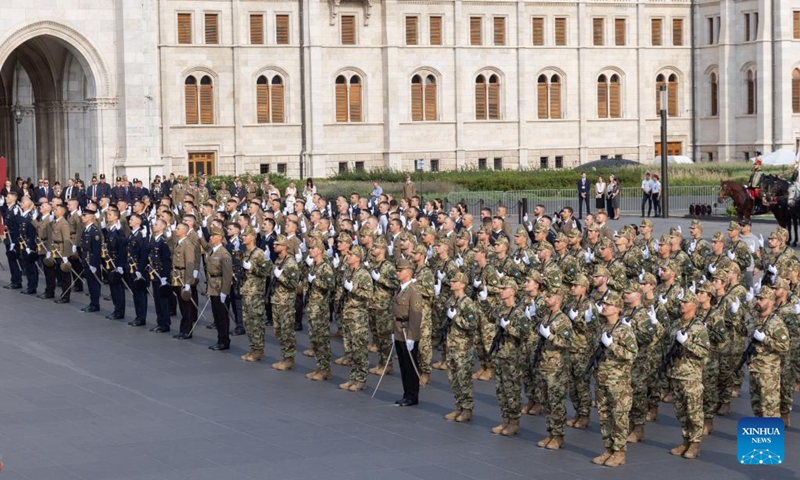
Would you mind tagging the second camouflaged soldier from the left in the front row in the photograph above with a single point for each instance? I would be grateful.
(284, 290)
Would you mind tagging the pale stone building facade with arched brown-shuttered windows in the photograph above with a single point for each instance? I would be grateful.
(310, 87)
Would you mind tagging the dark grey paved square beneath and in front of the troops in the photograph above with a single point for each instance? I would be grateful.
(82, 397)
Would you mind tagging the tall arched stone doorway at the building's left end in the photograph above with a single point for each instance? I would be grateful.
(48, 108)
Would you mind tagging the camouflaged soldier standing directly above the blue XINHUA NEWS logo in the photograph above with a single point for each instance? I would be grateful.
(772, 340)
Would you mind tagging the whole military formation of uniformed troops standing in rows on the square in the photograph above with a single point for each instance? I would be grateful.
(557, 310)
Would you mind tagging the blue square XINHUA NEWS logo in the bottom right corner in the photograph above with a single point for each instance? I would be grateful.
(760, 441)
